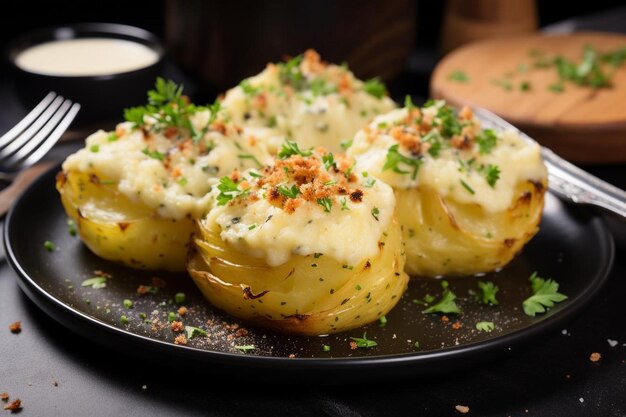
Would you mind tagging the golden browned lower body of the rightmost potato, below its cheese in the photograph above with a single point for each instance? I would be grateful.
(445, 237)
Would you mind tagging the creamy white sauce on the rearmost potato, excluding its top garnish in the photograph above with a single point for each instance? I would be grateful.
(309, 119)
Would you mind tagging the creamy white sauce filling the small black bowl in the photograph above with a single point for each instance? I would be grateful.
(86, 57)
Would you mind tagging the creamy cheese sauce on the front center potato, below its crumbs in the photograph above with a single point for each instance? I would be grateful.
(349, 232)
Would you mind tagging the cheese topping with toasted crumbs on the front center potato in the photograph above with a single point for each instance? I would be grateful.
(265, 224)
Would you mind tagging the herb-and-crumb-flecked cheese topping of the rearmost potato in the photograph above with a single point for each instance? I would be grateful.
(314, 103)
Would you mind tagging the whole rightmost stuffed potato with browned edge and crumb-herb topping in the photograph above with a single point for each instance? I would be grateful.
(468, 199)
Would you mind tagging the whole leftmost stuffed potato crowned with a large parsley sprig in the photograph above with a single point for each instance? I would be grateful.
(134, 193)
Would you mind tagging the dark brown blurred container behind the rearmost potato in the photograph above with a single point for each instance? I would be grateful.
(220, 42)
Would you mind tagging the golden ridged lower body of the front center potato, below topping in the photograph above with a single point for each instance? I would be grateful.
(307, 295)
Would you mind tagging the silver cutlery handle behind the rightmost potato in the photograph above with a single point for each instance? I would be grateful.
(565, 179)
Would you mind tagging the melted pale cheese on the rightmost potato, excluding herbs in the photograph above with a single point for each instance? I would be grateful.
(456, 172)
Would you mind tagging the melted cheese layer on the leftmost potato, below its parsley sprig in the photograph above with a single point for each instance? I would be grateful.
(167, 170)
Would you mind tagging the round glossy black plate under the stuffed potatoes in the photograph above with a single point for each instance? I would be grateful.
(573, 247)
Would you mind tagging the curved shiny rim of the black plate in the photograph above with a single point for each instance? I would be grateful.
(78, 321)
